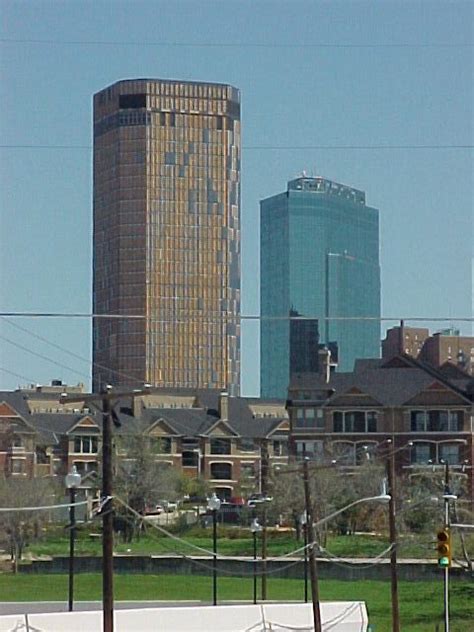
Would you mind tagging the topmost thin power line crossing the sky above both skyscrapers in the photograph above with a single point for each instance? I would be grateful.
(269, 45)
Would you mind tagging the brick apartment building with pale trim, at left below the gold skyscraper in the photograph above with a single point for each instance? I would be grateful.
(201, 433)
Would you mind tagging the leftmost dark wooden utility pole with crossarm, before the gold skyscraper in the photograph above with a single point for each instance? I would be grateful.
(108, 415)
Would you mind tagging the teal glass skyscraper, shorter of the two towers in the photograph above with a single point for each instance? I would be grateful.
(320, 279)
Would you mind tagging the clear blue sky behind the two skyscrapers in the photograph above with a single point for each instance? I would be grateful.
(411, 86)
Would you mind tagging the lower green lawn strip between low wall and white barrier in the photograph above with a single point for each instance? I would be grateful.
(420, 602)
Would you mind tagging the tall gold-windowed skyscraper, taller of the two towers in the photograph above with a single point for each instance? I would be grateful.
(167, 234)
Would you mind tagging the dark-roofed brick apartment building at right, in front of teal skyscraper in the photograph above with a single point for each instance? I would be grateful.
(347, 416)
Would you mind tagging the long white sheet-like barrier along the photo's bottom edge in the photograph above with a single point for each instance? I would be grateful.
(338, 616)
